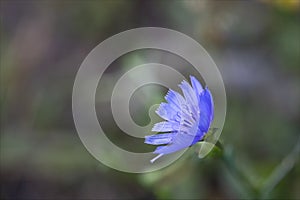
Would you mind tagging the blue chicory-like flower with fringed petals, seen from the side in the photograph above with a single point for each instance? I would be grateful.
(187, 118)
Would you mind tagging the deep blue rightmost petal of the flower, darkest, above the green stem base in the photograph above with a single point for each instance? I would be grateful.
(206, 110)
